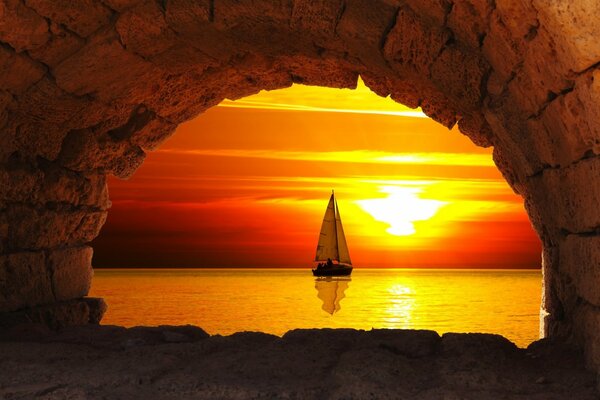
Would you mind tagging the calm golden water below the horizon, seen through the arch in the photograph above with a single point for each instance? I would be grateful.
(224, 301)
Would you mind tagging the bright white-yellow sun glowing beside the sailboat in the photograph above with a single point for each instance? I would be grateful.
(401, 208)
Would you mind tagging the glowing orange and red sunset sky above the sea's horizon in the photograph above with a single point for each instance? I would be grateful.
(247, 183)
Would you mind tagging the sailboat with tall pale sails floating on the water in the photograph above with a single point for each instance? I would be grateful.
(332, 255)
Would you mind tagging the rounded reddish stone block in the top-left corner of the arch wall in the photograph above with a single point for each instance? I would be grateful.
(21, 27)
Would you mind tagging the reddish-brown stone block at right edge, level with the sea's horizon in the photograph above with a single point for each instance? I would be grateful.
(580, 259)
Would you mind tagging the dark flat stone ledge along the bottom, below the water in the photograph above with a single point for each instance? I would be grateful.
(182, 362)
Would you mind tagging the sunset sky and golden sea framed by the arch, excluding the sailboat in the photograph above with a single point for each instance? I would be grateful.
(245, 186)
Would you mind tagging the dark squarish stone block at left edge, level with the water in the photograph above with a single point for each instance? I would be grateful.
(24, 281)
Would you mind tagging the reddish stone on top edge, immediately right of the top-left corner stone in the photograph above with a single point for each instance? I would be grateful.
(83, 17)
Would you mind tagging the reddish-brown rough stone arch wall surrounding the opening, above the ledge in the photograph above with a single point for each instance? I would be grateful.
(87, 87)
